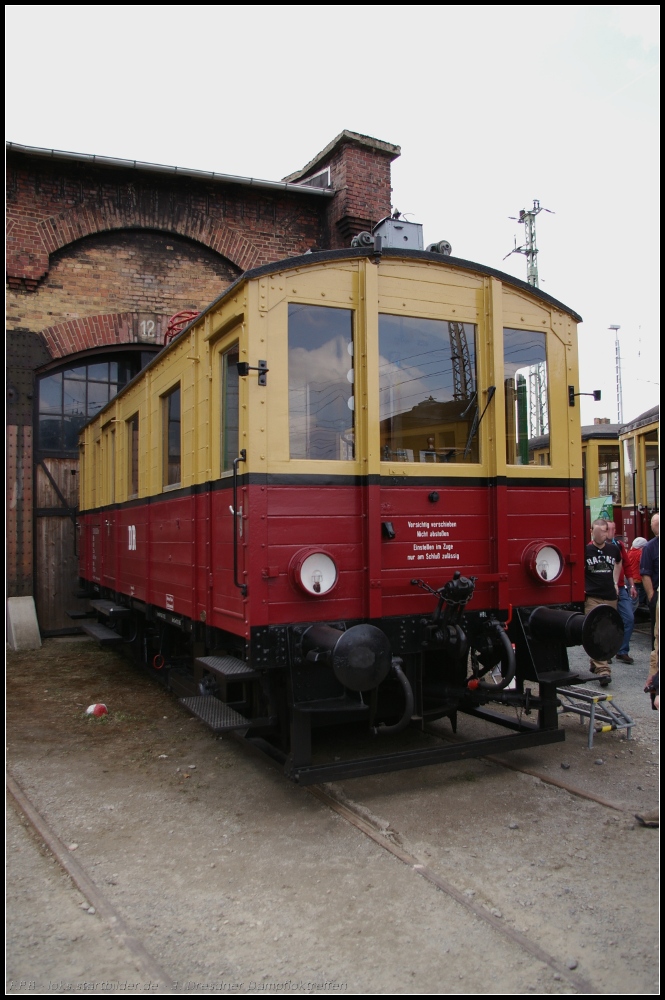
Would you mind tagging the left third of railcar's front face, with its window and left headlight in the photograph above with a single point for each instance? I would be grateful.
(308, 521)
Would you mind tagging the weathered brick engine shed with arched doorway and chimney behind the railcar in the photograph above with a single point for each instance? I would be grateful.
(100, 254)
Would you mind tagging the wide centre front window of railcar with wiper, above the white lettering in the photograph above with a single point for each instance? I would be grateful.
(428, 390)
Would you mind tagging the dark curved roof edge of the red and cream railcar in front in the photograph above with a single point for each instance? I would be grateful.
(323, 256)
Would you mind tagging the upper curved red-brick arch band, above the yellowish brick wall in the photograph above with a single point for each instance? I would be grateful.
(30, 243)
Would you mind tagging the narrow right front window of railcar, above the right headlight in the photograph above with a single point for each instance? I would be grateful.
(527, 409)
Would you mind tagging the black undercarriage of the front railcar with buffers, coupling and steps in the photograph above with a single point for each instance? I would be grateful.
(289, 681)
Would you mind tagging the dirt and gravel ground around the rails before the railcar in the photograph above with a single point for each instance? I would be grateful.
(236, 880)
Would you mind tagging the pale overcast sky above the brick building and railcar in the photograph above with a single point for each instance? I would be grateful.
(493, 107)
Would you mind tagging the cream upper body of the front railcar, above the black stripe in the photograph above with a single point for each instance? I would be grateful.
(386, 302)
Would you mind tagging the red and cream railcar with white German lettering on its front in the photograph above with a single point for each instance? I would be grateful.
(321, 491)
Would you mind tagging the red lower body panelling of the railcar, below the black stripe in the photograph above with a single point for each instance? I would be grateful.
(176, 551)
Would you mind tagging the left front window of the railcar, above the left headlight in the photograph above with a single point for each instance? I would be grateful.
(321, 400)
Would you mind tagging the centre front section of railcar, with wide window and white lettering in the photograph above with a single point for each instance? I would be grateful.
(433, 502)
